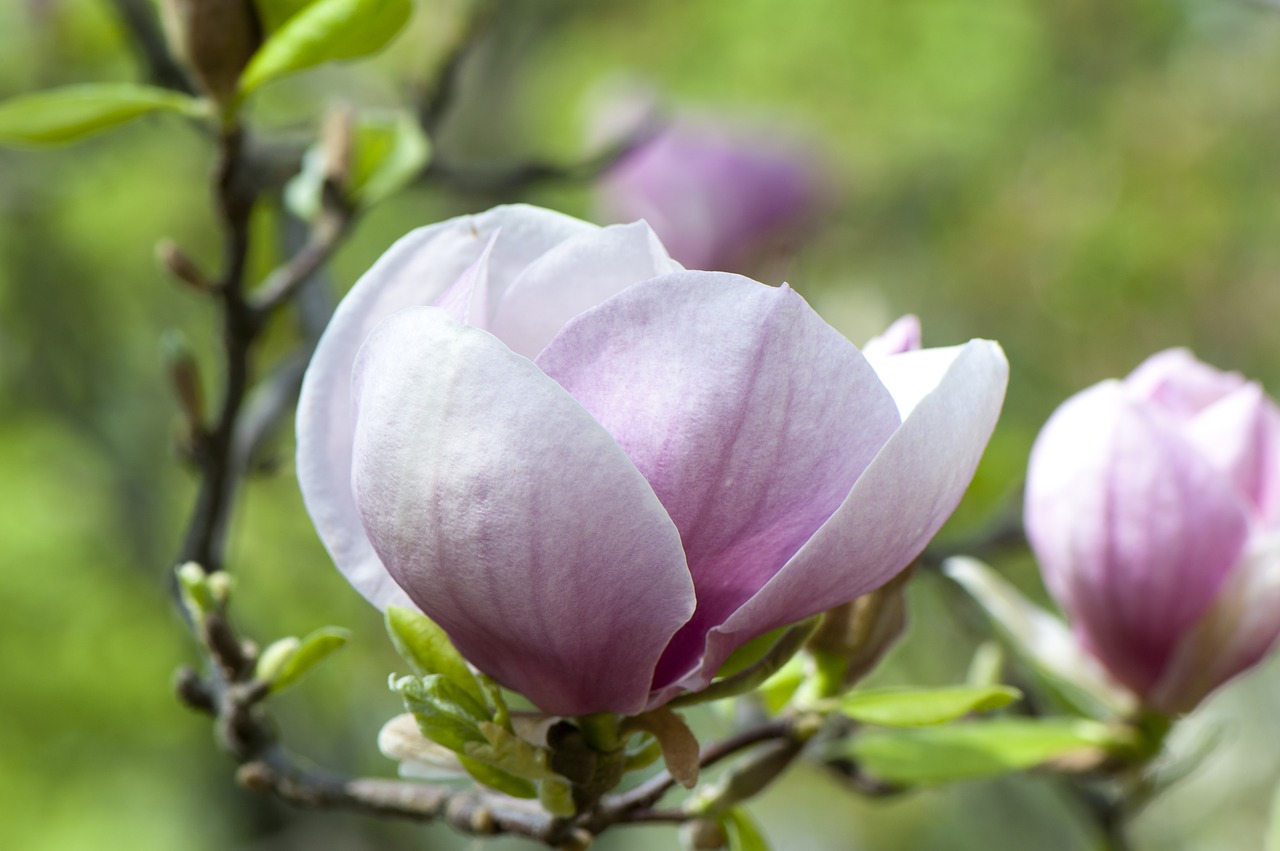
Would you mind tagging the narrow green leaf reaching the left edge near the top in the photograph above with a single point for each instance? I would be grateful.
(62, 116)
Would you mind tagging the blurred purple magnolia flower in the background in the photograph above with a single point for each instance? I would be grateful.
(716, 198)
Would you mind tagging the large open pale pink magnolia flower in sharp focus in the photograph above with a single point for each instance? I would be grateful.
(600, 473)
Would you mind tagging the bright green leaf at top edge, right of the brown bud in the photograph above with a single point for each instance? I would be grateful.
(326, 31)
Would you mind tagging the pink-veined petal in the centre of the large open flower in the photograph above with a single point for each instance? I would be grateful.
(751, 418)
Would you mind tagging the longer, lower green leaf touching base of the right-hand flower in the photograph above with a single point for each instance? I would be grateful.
(936, 756)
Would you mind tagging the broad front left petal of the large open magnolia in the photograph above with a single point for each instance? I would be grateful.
(513, 519)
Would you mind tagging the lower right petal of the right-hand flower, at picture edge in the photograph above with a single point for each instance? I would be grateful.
(1237, 632)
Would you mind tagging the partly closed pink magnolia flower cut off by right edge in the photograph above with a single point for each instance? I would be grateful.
(1154, 506)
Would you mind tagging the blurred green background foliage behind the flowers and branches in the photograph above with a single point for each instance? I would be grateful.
(1086, 181)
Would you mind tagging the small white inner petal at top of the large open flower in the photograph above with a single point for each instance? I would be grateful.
(575, 277)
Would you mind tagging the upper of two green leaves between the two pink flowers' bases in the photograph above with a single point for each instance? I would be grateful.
(921, 707)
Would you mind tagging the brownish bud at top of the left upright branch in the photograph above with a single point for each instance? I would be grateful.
(216, 39)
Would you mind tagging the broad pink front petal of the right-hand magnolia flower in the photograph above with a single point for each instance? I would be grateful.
(1135, 530)
